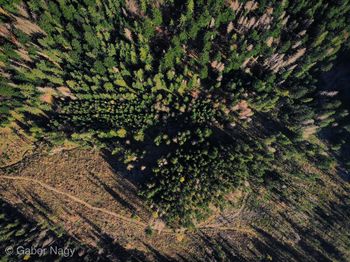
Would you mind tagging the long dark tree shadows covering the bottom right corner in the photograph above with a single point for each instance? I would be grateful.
(317, 242)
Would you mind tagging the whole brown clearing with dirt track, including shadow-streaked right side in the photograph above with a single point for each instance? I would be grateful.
(77, 190)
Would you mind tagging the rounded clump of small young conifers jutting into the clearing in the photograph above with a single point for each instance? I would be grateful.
(183, 188)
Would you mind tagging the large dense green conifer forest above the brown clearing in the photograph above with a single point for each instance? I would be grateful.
(198, 96)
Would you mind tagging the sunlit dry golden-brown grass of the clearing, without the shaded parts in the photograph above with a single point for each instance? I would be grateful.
(77, 189)
